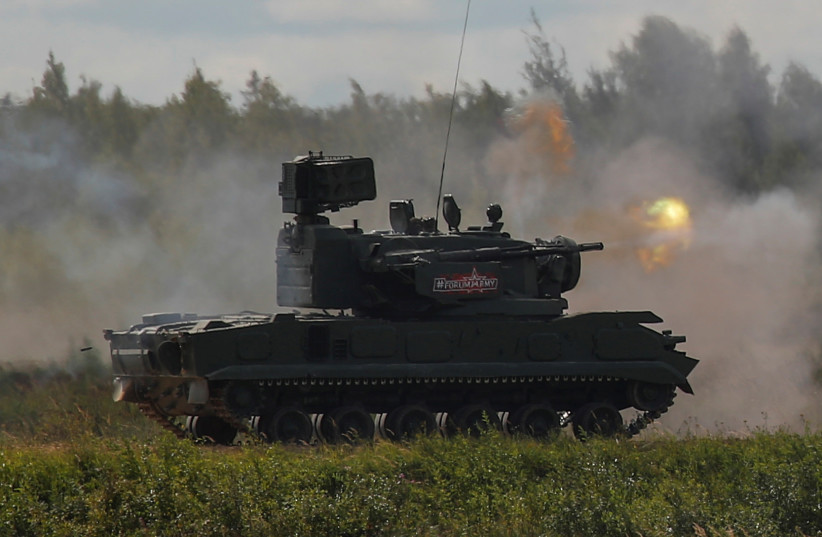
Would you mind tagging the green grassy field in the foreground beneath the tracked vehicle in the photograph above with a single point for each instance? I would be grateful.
(73, 463)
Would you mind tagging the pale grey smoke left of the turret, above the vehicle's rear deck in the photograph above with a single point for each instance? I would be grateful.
(86, 246)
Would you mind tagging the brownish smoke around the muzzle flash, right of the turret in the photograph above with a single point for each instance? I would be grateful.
(744, 286)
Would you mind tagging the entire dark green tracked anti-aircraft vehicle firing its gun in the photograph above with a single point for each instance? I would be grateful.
(408, 331)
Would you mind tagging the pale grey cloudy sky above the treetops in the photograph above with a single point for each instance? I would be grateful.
(312, 48)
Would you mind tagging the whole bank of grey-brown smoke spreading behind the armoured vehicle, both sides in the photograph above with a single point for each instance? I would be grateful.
(87, 247)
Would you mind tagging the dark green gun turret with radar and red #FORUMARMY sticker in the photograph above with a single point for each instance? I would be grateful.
(413, 270)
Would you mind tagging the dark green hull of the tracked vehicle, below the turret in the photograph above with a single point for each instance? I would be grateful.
(322, 362)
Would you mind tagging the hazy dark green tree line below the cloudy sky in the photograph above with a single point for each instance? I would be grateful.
(665, 81)
